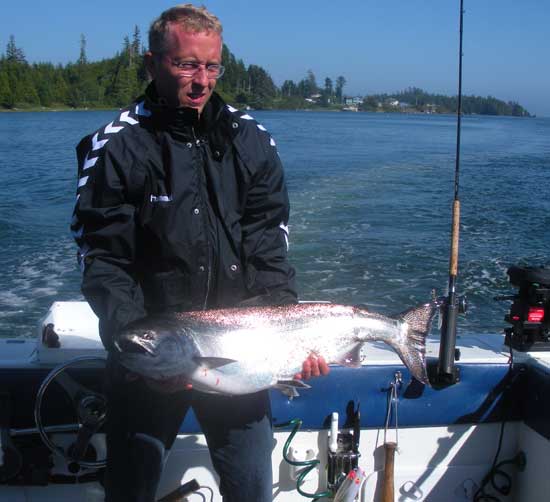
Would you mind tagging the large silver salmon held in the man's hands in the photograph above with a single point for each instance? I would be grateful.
(244, 350)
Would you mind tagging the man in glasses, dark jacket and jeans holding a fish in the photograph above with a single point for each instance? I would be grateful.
(182, 205)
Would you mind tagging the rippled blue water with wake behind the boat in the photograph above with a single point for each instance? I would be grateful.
(371, 202)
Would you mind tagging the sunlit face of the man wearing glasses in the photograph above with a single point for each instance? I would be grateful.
(181, 45)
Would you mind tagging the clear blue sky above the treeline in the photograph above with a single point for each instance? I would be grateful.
(377, 45)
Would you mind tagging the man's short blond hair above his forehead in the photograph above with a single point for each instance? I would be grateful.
(189, 17)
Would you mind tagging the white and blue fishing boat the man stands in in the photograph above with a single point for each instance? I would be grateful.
(486, 431)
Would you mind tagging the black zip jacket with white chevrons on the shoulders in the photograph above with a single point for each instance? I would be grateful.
(174, 212)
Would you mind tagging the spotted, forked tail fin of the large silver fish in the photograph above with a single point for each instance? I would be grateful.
(412, 348)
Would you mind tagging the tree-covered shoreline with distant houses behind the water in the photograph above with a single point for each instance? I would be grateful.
(116, 81)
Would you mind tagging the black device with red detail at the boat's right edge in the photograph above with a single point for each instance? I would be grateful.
(530, 310)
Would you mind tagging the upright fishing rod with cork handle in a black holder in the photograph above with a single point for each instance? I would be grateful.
(446, 371)
